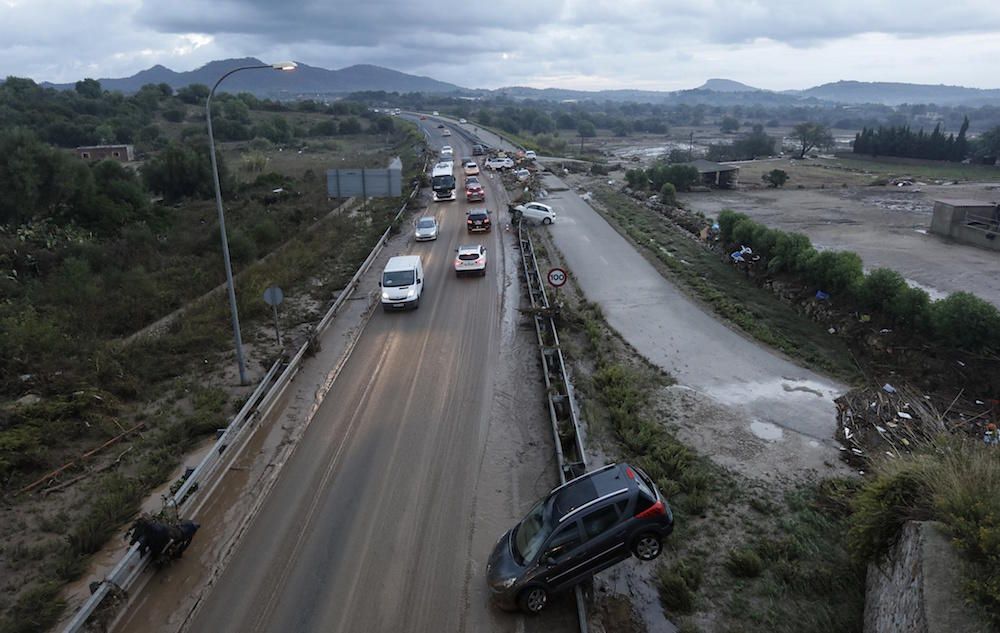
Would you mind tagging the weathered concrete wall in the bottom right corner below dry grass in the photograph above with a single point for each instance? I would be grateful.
(918, 589)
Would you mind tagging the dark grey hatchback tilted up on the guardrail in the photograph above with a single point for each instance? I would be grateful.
(582, 527)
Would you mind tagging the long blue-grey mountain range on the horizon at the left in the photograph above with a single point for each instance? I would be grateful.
(303, 80)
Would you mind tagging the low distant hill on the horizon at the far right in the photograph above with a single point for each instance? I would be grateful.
(890, 93)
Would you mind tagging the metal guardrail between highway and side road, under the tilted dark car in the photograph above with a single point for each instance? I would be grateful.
(563, 415)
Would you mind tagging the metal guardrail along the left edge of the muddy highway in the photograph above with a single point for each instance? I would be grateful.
(124, 574)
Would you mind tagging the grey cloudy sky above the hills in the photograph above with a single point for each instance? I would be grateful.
(584, 44)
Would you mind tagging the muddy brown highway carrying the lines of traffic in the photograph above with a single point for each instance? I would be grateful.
(421, 455)
